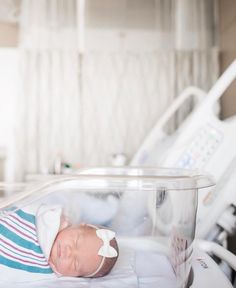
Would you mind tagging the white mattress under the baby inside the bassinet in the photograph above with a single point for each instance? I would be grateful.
(144, 269)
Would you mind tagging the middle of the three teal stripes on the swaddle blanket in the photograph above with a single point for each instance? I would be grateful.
(18, 240)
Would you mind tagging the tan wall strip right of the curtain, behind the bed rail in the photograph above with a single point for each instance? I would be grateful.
(227, 40)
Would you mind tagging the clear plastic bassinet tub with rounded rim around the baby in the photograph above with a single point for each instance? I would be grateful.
(152, 211)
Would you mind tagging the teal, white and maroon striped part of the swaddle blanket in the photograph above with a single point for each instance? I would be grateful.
(19, 246)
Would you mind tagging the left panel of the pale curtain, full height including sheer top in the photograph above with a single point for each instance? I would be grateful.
(49, 108)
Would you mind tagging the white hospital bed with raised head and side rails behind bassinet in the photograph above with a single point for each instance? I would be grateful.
(204, 142)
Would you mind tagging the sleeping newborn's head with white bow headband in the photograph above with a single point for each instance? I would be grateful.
(83, 250)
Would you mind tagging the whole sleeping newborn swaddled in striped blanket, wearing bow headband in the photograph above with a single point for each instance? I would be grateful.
(43, 242)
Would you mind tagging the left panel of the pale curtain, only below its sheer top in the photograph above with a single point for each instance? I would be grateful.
(48, 111)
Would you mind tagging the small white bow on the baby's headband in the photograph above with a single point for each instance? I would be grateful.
(106, 236)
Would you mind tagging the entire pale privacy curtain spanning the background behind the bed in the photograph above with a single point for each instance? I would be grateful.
(137, 56)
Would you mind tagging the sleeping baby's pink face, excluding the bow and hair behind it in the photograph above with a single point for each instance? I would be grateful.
(75, 251)
